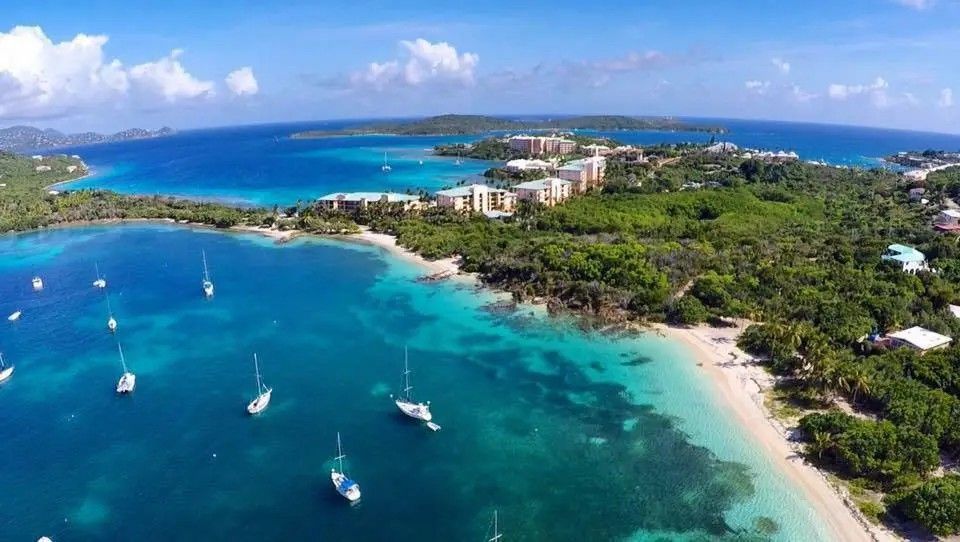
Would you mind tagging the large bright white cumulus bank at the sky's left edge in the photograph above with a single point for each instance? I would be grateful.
(40, 78)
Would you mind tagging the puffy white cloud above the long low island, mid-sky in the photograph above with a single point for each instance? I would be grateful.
(422, 62)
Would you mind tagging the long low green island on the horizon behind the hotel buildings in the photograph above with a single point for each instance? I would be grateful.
(480, 124)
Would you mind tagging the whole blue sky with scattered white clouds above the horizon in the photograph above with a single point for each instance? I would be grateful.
(110, 64)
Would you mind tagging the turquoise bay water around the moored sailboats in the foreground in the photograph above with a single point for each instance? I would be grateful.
(570, 436)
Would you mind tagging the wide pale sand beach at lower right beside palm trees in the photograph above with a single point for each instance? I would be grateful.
(741, 385)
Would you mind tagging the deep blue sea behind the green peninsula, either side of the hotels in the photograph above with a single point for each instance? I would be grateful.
(261, 165)
